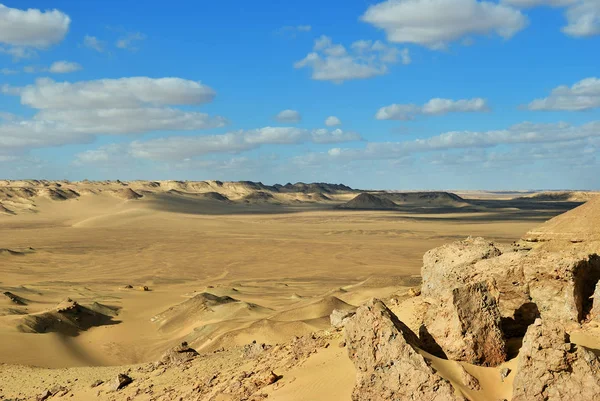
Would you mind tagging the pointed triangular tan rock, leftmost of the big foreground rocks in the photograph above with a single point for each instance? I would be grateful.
(382, 349)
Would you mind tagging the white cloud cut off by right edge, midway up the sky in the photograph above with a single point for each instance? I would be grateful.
(583, 95)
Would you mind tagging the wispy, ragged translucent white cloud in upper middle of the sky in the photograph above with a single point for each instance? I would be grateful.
(366, 59)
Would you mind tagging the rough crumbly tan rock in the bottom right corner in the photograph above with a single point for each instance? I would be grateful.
(550, 368)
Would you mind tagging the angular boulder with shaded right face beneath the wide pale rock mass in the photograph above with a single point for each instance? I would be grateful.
(466, 325)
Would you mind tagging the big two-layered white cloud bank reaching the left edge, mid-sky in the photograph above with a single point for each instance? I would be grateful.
(76, 112)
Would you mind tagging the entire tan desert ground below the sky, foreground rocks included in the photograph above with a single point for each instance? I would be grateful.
(261, 285)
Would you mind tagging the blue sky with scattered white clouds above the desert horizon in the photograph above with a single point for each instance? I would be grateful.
(396, 94)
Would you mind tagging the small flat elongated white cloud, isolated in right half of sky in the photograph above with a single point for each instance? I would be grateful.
(434, 106)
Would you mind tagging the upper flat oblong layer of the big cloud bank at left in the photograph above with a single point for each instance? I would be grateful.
(115, 93)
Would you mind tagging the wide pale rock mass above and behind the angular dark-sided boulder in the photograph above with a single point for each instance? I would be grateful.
(555, 285)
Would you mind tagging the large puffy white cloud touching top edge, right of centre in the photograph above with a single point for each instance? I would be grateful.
(435, 23)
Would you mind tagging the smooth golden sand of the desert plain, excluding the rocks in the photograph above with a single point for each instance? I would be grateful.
(274, 266)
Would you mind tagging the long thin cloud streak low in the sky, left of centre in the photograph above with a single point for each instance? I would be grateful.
(185, 147)
